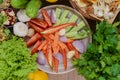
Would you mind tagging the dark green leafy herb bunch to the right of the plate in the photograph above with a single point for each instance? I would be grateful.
(102, 58)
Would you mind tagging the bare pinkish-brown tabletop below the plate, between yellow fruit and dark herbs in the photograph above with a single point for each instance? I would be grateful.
(69, 76)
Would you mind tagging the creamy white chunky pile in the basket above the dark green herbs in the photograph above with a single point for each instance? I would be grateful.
(102, 9)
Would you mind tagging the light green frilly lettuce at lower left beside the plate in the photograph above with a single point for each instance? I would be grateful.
(15, 60)
